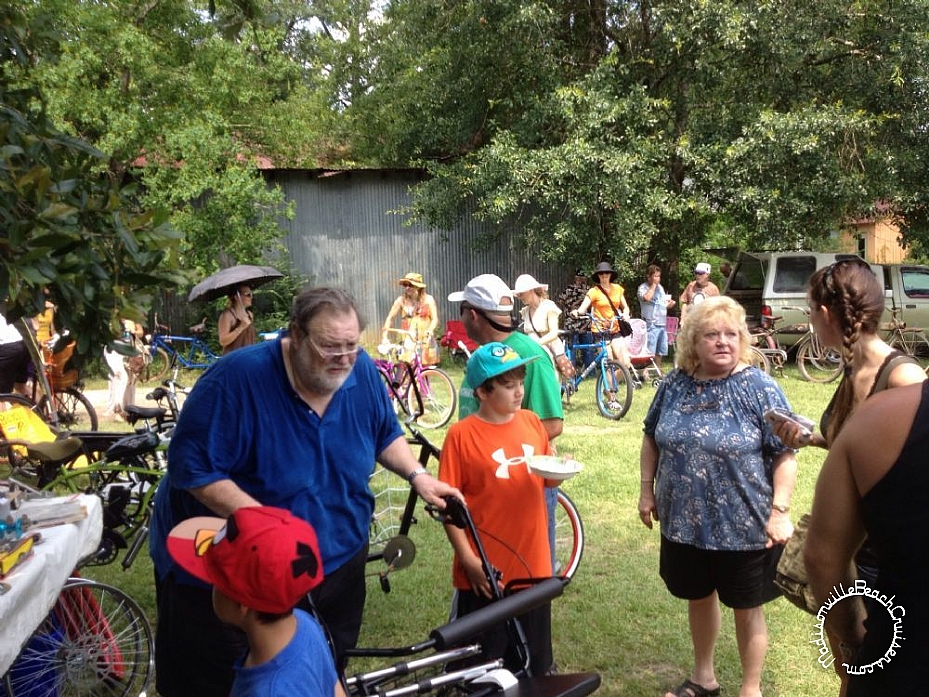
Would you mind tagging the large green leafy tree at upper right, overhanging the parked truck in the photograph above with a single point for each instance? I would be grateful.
(637, 137)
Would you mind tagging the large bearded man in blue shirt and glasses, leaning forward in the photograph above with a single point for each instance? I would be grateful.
(295, 423)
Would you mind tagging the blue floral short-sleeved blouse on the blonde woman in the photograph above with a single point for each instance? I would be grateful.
(714, 483)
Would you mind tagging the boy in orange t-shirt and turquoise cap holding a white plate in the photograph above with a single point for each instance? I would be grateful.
(485, 456)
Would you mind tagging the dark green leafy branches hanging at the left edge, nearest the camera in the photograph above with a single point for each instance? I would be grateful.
(68, 225)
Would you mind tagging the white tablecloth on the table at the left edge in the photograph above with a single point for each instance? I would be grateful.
(35, 584)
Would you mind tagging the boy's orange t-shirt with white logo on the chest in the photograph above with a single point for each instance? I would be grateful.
(487, 463)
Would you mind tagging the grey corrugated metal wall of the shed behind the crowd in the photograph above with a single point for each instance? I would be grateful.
(345, 234)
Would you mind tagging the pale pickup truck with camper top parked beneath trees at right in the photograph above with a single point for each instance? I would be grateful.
(771, 283)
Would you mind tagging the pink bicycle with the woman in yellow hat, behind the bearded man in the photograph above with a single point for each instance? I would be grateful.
(433, 385)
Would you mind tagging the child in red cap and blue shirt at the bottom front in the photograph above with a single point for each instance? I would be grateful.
(262, 561)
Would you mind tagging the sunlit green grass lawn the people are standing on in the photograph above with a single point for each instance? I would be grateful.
(616, 616)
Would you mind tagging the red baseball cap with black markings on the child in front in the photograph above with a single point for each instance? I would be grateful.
(261, 556)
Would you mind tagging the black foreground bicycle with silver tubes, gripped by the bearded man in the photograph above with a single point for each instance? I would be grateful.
(448, 643)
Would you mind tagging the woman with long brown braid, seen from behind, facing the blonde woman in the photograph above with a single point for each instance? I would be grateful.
(846, 303)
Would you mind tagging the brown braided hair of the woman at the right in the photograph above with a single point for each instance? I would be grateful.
(855, 296)
